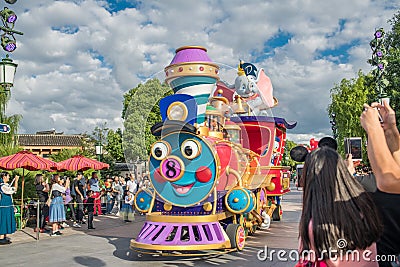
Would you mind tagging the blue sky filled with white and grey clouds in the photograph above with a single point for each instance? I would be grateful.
(77, 58)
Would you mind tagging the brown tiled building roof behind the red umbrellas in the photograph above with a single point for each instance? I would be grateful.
(49, 140)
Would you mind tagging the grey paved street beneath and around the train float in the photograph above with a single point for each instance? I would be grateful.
(108, 245)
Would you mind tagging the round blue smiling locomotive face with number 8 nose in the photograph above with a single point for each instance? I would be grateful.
(183, 169)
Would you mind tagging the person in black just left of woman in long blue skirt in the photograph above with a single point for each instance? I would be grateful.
(42, 190)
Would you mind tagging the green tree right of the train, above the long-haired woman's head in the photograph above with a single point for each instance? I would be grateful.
(347, 99)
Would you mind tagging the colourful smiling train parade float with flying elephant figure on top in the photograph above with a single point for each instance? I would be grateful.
(216, 171)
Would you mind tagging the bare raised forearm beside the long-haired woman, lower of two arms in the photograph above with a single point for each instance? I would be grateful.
(384, 166)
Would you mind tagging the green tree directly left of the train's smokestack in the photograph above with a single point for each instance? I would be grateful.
(141, 111)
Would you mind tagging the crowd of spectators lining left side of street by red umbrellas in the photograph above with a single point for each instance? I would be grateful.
(71, 201)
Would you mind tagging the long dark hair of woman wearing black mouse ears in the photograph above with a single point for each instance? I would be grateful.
(337, 204)
